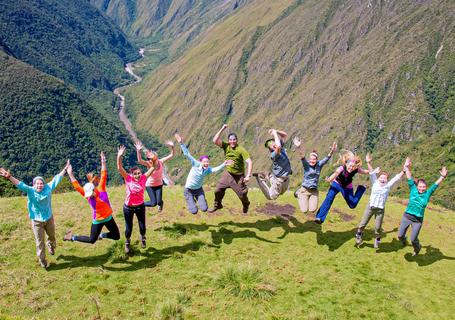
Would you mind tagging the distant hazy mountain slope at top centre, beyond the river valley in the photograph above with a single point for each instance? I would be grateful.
(175, 21)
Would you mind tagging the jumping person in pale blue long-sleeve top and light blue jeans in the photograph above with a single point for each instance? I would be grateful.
(199, 169)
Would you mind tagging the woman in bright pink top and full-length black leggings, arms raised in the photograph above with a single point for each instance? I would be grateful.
(134, 203)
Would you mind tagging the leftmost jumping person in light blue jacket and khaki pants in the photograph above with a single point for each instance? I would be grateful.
(40, 210)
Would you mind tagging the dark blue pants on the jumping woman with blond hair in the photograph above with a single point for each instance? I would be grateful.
(348, 194)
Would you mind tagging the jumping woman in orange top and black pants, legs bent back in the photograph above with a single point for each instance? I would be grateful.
(95, 193)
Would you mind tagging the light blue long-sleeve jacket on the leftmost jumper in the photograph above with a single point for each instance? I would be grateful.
(39, 203)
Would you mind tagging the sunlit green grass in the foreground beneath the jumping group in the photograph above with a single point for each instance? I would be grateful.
(227, 265)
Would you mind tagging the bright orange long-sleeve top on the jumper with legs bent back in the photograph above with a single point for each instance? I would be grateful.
(100, 204)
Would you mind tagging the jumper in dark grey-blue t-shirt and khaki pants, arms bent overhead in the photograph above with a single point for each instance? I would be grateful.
(276, 182)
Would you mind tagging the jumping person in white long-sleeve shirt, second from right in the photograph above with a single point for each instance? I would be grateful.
(379, 191)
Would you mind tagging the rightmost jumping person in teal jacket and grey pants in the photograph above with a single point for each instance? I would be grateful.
(419, 197)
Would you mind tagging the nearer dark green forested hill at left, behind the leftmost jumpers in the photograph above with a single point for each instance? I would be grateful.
(45, 122)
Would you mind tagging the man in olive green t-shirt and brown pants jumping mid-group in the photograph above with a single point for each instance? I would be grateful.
(234, 177)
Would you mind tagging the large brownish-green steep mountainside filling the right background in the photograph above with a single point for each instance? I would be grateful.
(374, 76)
